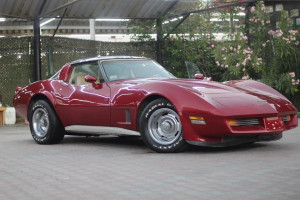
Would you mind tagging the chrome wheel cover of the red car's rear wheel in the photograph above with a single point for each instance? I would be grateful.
(40, 122)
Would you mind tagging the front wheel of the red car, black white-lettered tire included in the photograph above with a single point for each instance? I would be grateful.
(160, 127)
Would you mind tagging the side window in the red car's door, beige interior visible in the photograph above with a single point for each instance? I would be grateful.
(80, 71)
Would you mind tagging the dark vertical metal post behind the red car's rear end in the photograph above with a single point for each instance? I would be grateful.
(37, 49)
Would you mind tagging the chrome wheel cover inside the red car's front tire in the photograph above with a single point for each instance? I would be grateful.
(164, 126)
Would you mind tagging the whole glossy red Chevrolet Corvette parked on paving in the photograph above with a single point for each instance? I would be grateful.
(138, 94)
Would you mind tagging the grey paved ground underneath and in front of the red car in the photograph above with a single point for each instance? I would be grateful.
(120, 168)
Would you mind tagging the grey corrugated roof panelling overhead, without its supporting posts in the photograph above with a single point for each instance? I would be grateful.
(86, 8)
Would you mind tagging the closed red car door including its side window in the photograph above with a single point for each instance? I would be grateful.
(79, 103)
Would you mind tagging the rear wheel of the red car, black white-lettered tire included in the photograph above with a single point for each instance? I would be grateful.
(44, 124)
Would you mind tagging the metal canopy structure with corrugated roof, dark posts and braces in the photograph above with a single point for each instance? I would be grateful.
(36, 10)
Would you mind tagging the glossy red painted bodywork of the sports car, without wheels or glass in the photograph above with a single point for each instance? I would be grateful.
(110, 103)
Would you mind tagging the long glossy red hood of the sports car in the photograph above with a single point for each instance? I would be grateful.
(231, 99)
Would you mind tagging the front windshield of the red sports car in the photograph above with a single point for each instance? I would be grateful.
(127, 69)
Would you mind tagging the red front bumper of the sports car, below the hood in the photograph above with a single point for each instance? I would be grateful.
(218, 132)
